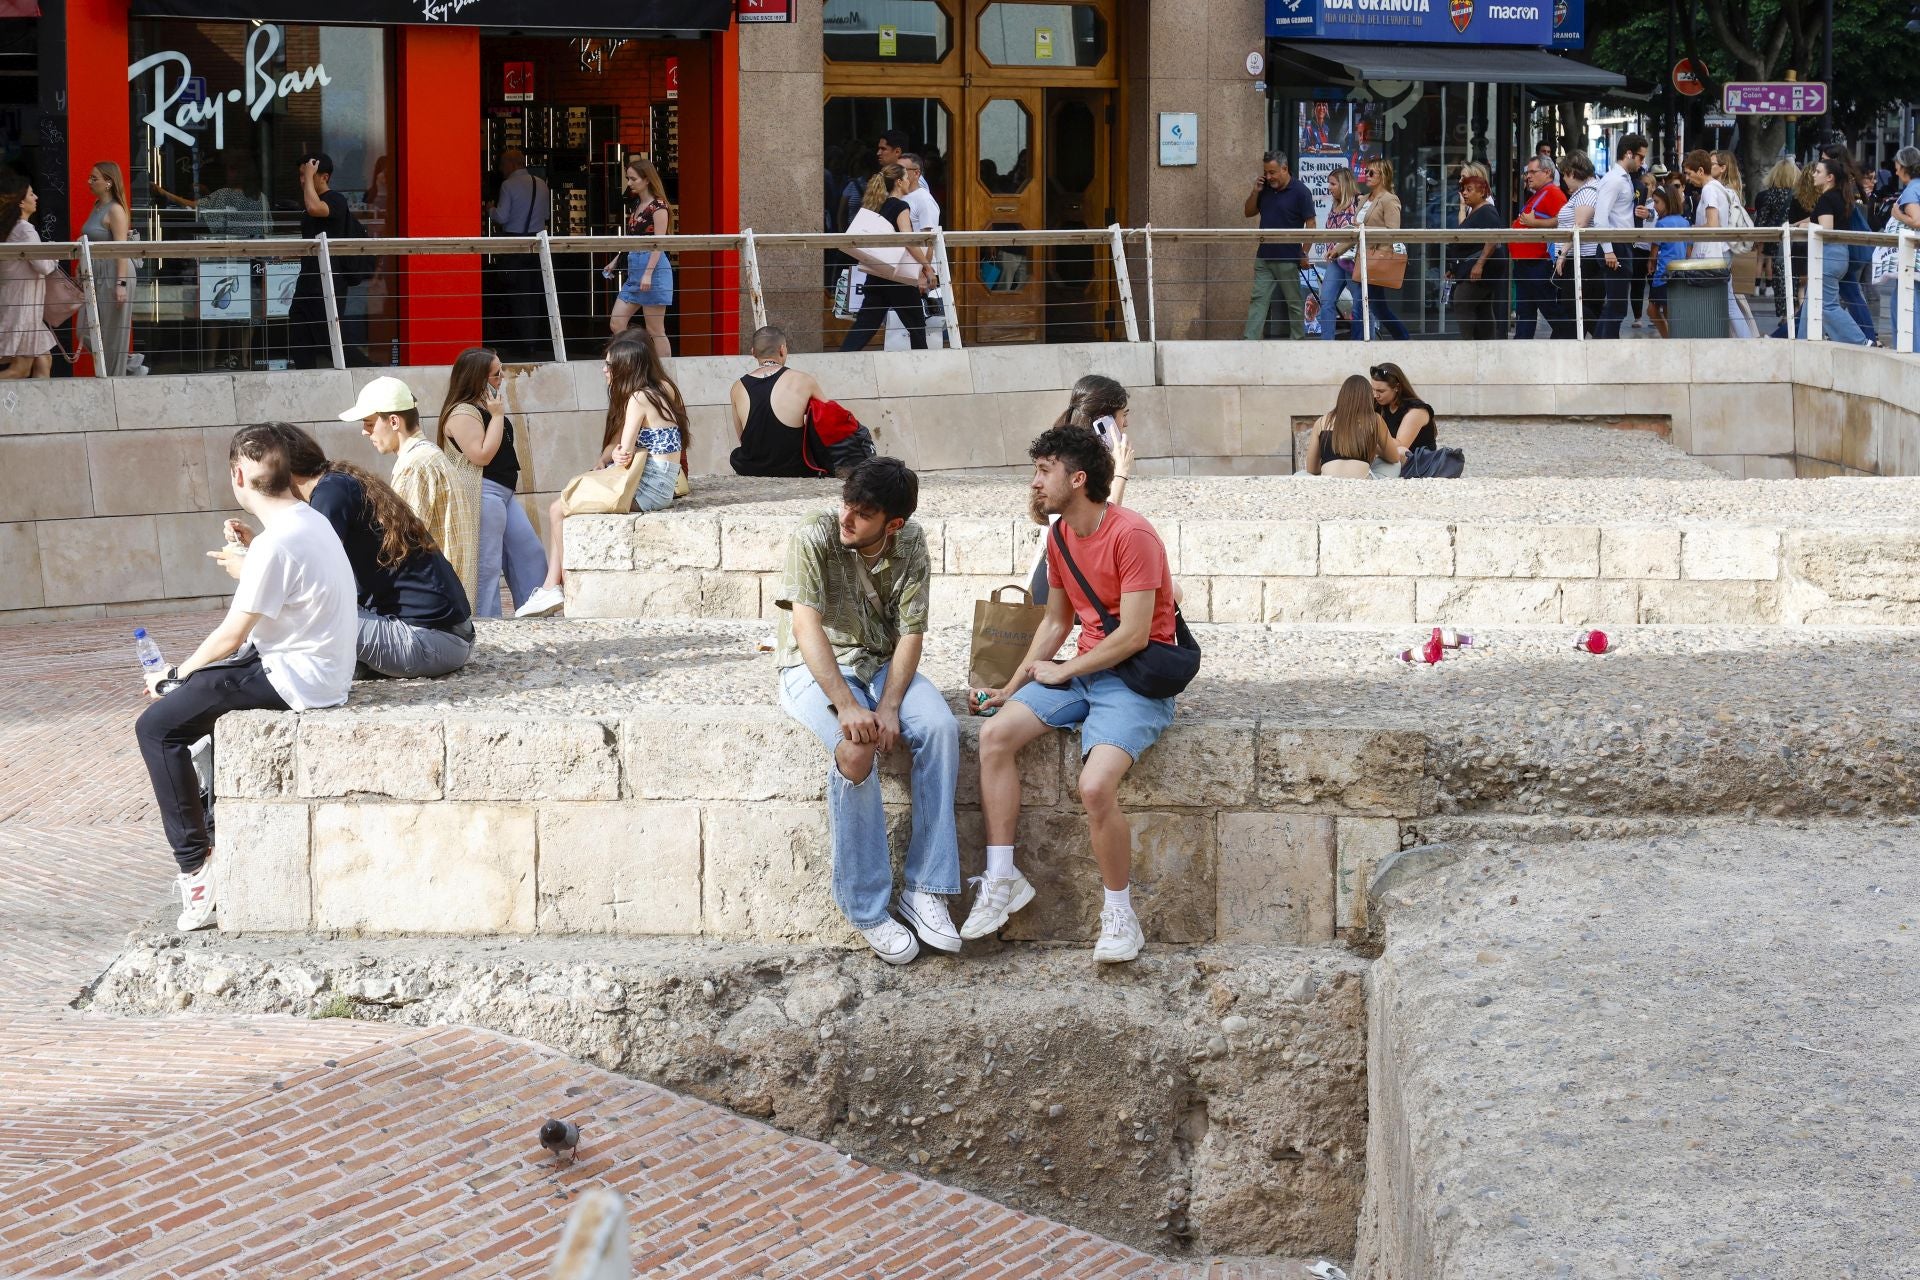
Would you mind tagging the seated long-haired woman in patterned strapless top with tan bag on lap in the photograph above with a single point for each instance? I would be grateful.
(648, 429)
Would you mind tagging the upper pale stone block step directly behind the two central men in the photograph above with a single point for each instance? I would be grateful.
(1303, 550)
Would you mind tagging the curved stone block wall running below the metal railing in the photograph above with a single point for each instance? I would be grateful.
(112, 490)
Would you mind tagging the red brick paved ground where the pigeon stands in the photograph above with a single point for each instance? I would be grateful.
(216, 1147)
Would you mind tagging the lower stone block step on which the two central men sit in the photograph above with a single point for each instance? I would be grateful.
(640, 780)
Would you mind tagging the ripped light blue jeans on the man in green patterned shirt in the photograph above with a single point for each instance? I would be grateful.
(863, 868)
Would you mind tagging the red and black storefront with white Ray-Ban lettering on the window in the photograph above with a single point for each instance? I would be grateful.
(208, 108)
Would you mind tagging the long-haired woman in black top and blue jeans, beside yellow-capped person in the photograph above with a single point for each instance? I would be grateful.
(477, 437)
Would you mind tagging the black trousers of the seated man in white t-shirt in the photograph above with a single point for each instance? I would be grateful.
(168, 732)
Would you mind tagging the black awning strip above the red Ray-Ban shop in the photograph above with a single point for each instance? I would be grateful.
(546, 16)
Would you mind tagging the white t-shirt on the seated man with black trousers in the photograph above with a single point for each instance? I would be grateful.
(299, 581)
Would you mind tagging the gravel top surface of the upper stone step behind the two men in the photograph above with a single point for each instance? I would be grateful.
(1812, 504)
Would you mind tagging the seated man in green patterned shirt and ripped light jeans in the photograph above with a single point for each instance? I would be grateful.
(853, 621)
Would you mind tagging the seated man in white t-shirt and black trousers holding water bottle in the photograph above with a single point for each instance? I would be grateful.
(287, 644)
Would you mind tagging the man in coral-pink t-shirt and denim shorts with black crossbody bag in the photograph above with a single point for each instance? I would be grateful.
(1126, 565)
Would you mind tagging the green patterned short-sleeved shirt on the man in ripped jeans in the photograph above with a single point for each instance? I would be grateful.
(827, 577)
